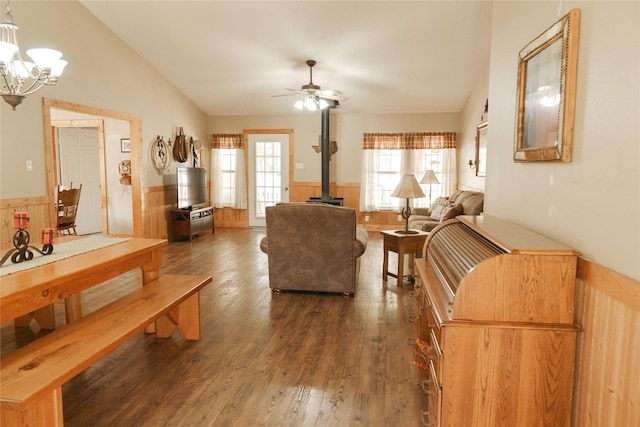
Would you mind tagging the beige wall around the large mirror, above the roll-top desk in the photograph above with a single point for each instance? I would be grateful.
(592, 203)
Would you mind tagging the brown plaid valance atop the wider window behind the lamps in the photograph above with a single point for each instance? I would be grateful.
(409, 141)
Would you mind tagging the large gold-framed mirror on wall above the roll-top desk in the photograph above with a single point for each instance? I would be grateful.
(546, 93)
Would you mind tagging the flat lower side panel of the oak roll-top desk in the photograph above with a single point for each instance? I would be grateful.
(506, 376)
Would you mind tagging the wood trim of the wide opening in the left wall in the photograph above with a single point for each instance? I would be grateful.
(135, 134)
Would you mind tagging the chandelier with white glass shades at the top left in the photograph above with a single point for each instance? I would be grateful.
(21, 78)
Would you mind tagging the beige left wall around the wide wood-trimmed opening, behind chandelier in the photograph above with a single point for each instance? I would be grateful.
(102, 72)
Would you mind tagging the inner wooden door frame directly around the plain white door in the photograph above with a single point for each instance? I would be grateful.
(96, 123)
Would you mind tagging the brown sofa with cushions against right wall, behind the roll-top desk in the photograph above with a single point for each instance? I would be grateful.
(443, 208)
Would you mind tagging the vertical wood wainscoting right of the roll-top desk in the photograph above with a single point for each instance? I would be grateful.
(607, 387)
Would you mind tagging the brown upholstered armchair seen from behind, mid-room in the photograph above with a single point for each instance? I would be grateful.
(313, 247)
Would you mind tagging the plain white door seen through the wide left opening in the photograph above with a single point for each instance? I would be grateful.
(79, 163)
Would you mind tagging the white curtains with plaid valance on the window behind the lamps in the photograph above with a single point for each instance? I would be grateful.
(412, 145)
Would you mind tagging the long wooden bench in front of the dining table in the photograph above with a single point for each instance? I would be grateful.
(31, 377)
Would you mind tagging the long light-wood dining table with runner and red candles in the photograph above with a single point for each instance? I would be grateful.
(31, 293)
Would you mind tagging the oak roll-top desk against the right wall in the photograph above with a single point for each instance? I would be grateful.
(495, 338)
